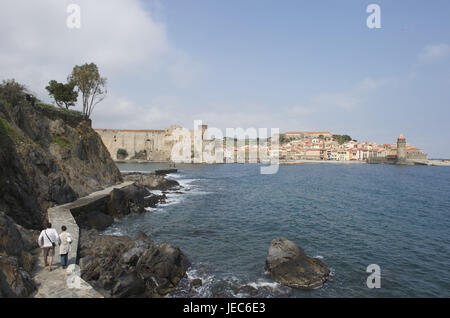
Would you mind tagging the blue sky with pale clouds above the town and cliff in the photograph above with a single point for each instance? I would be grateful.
(293, 65)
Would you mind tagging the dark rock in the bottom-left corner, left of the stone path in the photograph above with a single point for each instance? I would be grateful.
(14, 282)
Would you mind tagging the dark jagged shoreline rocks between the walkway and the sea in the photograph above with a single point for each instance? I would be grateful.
(120, 266)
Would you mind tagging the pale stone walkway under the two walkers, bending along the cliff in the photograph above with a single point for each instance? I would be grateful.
(62, 283)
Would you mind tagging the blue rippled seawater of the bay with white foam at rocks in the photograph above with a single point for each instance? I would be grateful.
(350, 216)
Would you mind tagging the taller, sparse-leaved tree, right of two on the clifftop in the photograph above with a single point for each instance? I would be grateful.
(92, 86)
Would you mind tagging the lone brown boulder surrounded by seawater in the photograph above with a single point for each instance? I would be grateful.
(290, 266)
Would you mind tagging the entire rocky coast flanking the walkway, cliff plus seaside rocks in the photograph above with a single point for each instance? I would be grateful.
(49, 157)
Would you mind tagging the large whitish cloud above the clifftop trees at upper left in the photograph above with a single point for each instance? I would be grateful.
(120, 36)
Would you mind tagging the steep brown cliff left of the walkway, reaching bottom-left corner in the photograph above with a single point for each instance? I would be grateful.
(47, 157)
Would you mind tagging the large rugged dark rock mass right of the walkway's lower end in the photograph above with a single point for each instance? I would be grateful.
(124, 267)
